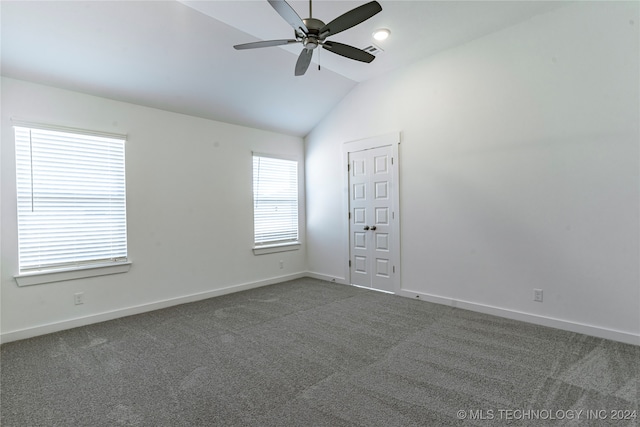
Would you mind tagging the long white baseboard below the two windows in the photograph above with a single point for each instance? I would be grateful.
(143, 308)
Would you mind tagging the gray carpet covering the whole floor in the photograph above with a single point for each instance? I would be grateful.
(312, 353)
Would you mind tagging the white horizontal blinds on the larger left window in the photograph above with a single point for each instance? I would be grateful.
(71, 199)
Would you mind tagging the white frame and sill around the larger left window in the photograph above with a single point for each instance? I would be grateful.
(81, 269)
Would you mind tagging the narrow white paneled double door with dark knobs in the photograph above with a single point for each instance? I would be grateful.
(372, 256)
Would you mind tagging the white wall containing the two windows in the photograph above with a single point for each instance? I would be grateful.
(189, 206)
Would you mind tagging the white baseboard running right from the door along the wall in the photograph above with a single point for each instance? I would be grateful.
(596, 331)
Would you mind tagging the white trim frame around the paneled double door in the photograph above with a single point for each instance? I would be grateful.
(390, 139)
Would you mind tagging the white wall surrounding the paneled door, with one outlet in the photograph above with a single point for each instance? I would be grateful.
(519, 169)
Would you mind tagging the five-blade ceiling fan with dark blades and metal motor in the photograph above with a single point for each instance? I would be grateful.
(313, 32)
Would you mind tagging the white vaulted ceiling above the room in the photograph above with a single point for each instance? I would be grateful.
(178, 56)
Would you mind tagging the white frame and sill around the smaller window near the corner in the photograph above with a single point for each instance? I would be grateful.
(275, 245)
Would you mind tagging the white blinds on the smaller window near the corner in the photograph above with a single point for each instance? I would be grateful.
(275, 200)
